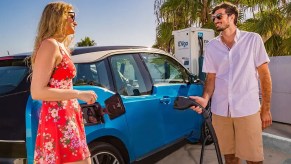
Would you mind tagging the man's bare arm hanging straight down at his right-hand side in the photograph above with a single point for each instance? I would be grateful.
(266, 87)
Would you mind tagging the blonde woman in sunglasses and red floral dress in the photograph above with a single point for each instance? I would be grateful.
(60, 137)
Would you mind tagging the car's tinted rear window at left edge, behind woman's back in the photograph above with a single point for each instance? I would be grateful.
(12, 72)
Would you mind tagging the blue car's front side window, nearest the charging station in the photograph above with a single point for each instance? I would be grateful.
(164, 69)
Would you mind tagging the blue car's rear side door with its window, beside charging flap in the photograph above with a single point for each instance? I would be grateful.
(143, 110)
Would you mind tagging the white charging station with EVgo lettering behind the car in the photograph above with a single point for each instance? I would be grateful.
(189, 48)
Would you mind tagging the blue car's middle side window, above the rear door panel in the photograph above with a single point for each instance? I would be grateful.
(128, 77)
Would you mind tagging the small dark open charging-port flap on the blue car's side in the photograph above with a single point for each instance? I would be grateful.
(114, 106)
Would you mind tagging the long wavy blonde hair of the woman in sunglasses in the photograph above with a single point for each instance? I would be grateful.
(52, 23)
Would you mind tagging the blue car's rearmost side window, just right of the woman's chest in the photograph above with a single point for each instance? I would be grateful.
(92, 74)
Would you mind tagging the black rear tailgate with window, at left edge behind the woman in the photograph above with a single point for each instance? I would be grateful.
(14, 93)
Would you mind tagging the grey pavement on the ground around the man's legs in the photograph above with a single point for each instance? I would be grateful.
(277, 149)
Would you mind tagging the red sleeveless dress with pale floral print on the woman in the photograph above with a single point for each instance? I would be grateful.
(61, 136)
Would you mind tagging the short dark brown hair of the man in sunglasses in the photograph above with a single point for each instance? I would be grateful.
(229, 9)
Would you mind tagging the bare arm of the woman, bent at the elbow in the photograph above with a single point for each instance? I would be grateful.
(48, 56)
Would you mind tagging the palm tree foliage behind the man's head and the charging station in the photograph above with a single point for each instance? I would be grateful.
(270, 18)
